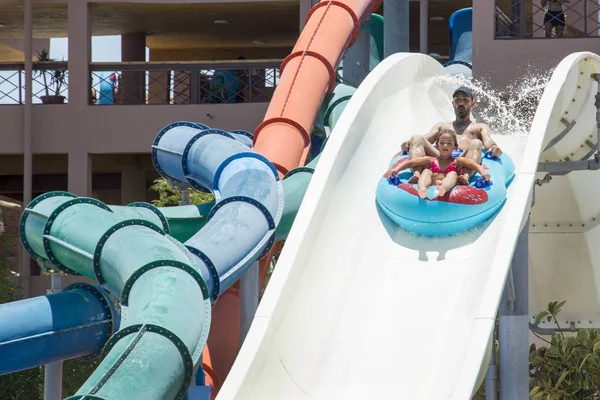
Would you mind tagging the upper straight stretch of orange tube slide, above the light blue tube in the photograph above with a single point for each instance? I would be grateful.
(306, 76)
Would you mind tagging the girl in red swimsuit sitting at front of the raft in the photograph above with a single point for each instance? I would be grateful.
(442, 171)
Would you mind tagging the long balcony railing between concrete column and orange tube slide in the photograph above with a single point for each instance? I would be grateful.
(183, 83)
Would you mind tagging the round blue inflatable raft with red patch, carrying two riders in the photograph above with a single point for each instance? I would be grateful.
(461, 208)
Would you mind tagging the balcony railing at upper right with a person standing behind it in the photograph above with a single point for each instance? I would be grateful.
(532, 19)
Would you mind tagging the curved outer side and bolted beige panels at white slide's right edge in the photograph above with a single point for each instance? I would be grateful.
(564, 232)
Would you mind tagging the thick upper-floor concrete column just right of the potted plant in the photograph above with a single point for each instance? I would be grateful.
(79, 29)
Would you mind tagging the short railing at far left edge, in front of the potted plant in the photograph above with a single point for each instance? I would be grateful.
(50, 83)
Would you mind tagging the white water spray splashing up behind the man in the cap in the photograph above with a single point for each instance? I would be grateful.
(508, 112)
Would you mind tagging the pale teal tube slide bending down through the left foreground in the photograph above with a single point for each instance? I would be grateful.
(158, 283)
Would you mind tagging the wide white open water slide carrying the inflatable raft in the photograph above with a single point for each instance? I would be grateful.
(358, 308)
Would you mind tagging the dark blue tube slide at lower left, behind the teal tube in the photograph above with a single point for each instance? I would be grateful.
(73, 323)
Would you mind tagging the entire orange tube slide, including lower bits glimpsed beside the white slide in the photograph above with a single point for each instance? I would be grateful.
(306, 75)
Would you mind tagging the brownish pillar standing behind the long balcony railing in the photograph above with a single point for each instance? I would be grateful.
(132, 87)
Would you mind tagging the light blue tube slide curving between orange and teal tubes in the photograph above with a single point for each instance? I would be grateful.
(248, 195)
